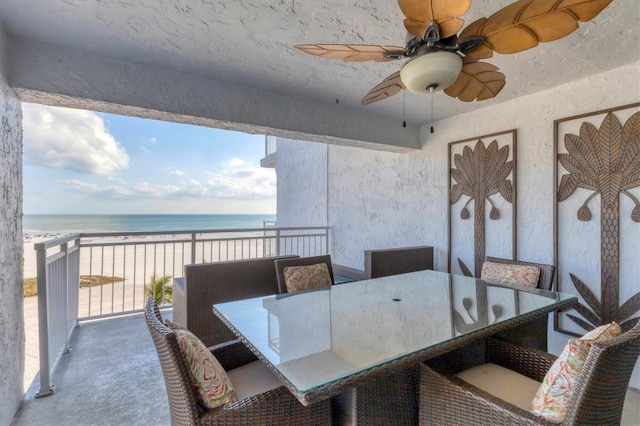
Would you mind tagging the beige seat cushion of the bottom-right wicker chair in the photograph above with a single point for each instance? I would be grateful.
(502, 383)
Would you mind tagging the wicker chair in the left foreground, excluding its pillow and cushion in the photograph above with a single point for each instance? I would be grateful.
(274, 407)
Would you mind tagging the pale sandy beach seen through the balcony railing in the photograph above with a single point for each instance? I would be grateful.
(133, 260)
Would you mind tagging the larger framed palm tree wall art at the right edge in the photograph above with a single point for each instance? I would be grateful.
(602, 160)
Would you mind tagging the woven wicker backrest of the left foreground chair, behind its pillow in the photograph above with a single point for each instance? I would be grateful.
(180, 389)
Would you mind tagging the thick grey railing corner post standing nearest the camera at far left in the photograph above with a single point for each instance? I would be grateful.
(46, 388)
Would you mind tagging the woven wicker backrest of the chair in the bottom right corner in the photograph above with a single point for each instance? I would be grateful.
(600, 392)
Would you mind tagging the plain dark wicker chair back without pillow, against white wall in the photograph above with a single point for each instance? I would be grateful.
(400, 260)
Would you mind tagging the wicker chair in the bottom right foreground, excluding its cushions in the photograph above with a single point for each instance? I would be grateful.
(598, 396)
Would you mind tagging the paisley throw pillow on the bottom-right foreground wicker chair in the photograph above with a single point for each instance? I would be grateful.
(553, 396)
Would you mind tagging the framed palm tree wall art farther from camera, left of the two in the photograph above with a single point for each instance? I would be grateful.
(482, 178)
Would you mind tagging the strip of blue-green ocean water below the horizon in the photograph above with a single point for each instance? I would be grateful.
(58, 225)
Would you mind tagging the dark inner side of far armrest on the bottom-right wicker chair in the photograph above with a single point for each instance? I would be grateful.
(532, 363)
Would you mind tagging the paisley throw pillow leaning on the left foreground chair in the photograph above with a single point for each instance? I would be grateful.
(212, 383)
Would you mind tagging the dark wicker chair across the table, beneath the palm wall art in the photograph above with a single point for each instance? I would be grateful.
(530, 335)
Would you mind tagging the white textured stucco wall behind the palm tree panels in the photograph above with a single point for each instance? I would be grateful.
(380, 199)
